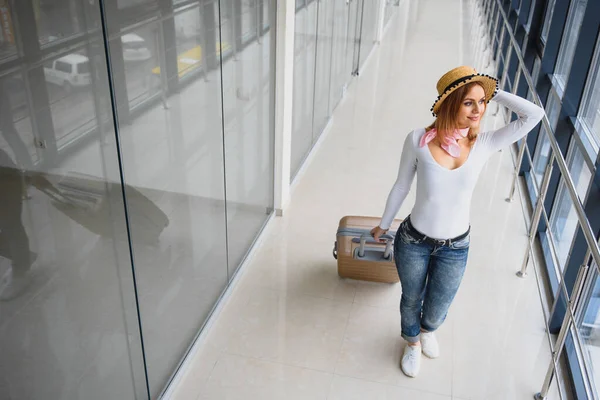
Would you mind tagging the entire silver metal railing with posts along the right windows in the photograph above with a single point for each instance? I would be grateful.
(492, 14)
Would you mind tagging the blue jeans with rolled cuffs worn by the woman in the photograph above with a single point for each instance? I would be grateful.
(430, 276)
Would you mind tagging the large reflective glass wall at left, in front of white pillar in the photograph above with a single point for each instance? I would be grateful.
(136, 161)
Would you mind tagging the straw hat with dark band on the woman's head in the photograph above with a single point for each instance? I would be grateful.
(459, 77)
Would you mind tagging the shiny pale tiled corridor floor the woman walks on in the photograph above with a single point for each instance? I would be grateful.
(293, 329)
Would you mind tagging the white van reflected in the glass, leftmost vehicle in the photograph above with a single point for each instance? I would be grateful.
(72, 70)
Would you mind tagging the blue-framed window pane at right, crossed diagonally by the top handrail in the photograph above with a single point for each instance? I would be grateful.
(563, 219)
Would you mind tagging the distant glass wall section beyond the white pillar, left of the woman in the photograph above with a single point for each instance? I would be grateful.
(331, 39)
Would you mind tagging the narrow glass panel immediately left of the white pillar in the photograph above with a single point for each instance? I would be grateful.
(249, 134)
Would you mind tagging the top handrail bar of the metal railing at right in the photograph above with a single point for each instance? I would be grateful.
(562, 165)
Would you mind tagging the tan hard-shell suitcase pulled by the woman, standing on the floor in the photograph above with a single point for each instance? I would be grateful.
(359, 256)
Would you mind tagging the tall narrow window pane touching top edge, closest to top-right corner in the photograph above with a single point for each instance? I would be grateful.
(569, 41)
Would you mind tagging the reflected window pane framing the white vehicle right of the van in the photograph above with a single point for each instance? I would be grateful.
(141, 51)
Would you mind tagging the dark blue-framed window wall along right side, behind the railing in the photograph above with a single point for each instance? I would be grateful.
(562, 56)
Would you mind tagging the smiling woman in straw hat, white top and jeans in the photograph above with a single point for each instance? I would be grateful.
(432, 243)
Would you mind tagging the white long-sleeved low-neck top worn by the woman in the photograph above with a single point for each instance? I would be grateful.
(443, 201)
